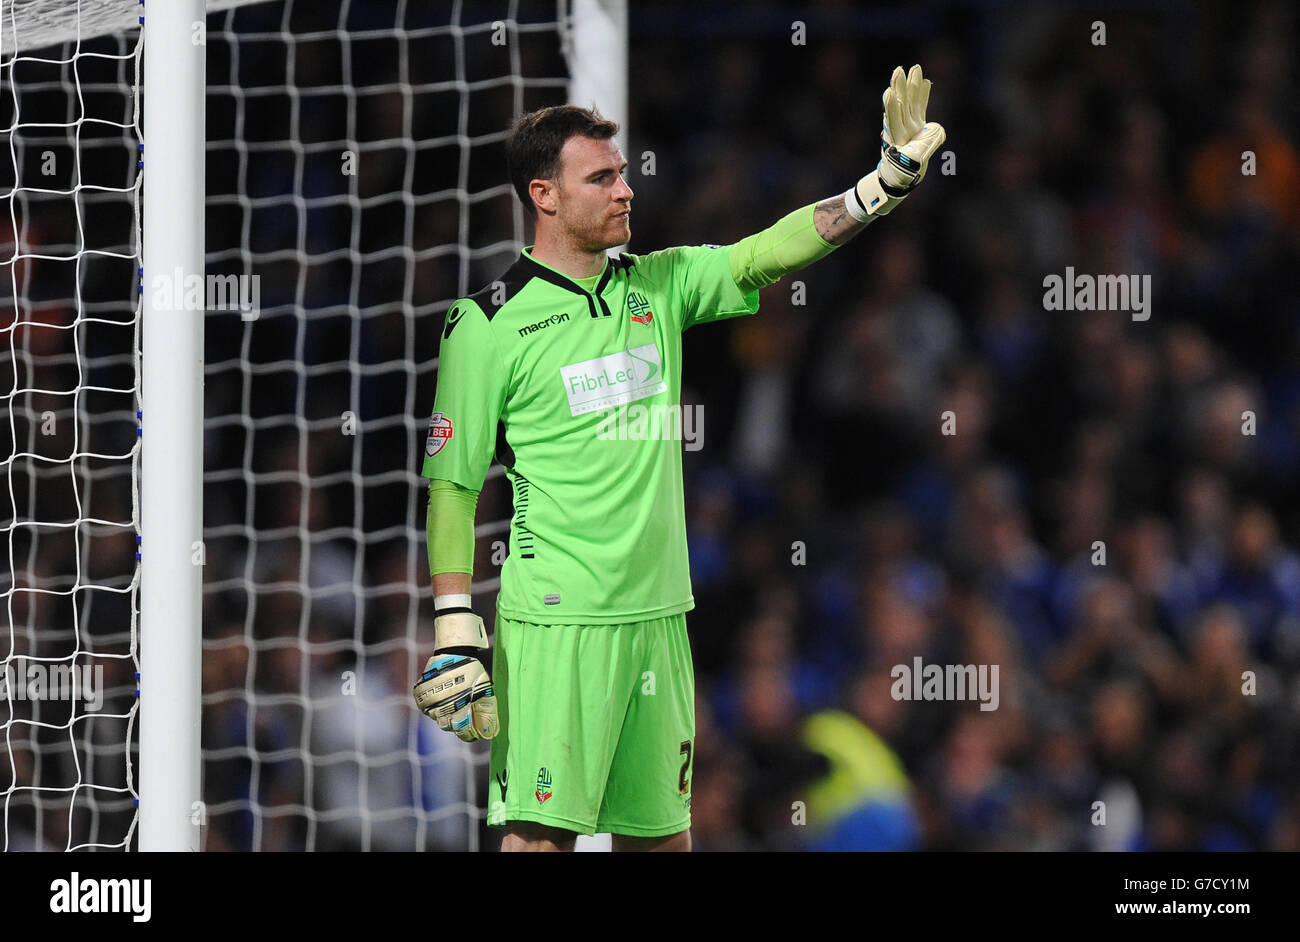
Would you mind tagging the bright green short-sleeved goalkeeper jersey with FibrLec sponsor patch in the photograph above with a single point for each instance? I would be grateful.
(578, 394)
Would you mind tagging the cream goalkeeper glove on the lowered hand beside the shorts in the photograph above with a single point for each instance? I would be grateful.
(456, 688)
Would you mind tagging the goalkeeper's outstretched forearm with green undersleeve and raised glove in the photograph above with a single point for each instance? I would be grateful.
(816, 231)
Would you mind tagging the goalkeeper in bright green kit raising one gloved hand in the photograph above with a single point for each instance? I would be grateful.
(588, 692)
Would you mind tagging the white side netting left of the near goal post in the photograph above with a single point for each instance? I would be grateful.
(70, 253)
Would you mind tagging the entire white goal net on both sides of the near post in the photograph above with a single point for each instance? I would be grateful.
(356, 189)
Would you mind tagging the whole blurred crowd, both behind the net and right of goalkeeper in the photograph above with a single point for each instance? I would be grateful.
(1111, 522)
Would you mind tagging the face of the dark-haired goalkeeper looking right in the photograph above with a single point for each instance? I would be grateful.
(592, 199)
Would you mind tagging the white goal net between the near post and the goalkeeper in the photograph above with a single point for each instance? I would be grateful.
(356, 167)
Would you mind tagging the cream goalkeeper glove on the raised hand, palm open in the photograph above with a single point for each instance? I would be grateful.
(907, 146)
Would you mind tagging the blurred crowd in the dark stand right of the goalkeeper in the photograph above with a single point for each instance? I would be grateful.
(1113, 522)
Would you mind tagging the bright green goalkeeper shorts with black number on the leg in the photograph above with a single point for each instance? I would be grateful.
(597, 727)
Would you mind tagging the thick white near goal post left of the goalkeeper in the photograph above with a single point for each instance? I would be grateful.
(172, 431)
